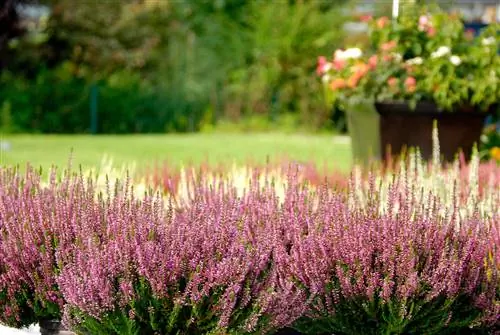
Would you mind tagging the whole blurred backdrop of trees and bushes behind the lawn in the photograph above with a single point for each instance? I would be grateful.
(155, 66)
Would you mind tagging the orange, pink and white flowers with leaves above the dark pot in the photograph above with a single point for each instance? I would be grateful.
(424, 55)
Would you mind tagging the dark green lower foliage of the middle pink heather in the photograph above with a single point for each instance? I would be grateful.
(148, 314)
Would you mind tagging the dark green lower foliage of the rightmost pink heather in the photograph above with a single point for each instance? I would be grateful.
(360, 316)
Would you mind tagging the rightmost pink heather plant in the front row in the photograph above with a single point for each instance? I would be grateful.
(410, 270)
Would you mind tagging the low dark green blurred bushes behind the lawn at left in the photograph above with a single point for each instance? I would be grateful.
(56, 103)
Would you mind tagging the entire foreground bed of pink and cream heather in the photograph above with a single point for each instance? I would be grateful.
(409, 250)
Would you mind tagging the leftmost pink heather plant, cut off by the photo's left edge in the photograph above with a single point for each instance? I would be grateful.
(36, 223)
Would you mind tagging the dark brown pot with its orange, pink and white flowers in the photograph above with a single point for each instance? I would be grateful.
(422, 67)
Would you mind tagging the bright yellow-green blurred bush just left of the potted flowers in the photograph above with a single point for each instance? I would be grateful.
(278, 78)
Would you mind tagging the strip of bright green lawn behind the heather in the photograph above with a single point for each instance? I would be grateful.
(46, 150)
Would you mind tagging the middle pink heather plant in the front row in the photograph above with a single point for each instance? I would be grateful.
(208, 269)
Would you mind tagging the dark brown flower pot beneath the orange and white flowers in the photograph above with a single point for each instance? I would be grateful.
(401, 128)
